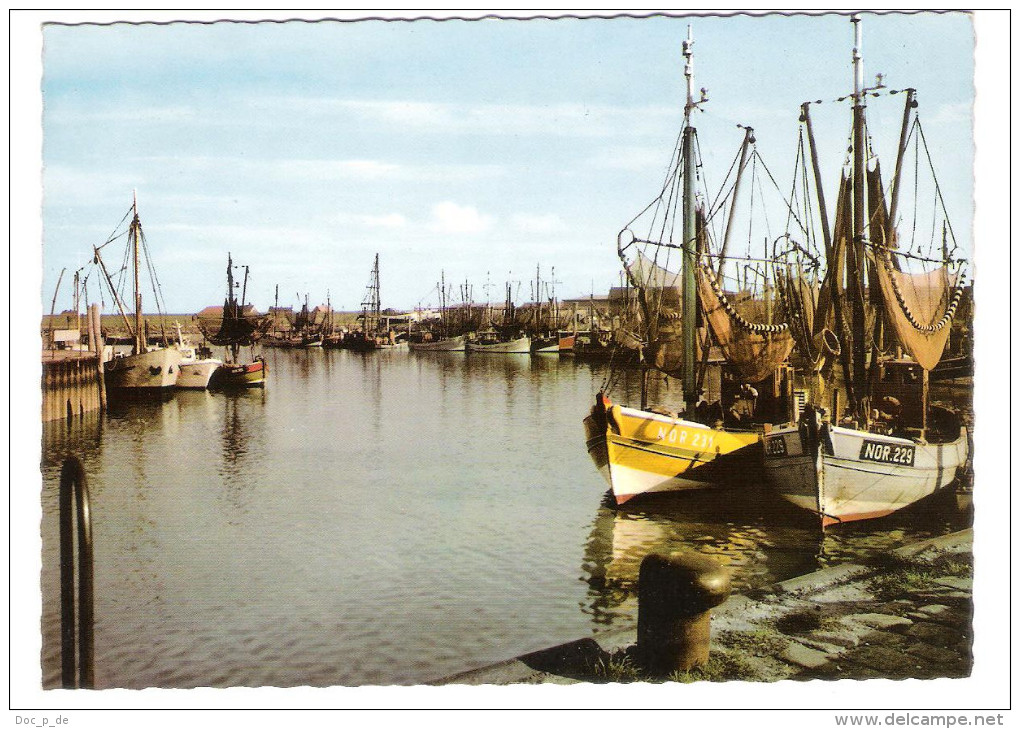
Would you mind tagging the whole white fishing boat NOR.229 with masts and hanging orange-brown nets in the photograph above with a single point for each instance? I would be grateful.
(869, 441)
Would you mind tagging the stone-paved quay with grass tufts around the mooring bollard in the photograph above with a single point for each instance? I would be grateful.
(906, 614)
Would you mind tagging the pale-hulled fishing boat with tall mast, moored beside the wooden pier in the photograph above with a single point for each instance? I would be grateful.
(147, 369)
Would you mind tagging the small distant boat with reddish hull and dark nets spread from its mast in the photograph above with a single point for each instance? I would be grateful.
(234, 327)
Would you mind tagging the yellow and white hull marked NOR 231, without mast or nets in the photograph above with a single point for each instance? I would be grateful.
(640, 452)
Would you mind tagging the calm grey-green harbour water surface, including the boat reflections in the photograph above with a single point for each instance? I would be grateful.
(389, 518)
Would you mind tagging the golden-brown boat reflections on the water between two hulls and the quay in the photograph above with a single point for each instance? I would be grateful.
(761, 539)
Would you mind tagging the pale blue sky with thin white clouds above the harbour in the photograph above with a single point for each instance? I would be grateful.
(479, 150)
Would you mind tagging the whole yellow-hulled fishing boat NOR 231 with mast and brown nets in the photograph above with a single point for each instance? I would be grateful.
(653, 449)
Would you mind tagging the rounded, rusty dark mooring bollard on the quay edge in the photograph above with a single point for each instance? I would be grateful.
(676, 596)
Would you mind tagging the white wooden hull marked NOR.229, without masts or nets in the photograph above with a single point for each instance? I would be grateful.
(857, 476)
